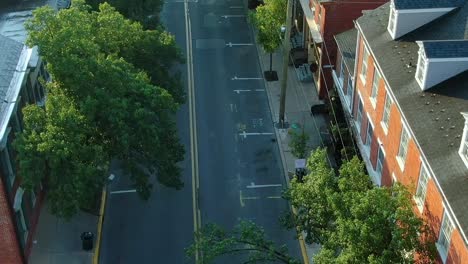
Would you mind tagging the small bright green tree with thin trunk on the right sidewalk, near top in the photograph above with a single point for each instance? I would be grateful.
(268, 19)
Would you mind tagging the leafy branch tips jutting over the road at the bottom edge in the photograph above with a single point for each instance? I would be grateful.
(246, 239)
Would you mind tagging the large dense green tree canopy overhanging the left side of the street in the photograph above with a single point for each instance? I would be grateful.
(114, 110)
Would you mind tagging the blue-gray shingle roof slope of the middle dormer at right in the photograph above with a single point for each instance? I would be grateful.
(446, 49)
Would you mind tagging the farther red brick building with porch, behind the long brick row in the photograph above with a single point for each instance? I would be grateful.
(318, 21)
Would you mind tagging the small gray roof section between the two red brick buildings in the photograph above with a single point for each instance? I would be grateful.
(346, 42)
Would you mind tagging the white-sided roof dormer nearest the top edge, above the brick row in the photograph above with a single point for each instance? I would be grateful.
(408, 15)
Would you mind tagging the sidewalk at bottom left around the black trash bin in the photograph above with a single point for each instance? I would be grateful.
(57, 241)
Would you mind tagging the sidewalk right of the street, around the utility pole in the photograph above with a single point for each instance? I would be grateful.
(300, 96)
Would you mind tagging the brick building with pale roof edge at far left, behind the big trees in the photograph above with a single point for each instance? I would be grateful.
(20, 71)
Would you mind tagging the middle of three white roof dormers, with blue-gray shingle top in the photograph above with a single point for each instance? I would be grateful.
(440, 60)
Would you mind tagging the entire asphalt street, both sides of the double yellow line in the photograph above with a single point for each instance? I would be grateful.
(240, 174)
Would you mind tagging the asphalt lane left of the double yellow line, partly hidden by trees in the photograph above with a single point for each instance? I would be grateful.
(158, 230)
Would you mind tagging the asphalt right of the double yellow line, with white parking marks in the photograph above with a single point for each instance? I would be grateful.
(239, 164)
